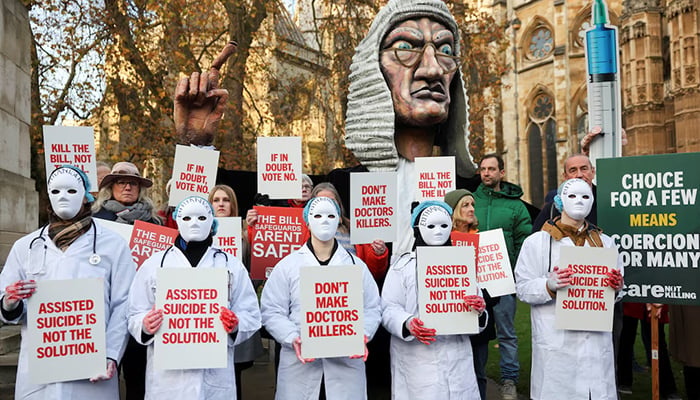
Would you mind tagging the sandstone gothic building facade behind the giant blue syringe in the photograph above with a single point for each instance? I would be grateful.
(544, 97)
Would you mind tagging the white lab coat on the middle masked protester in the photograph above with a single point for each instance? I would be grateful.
(281, 312)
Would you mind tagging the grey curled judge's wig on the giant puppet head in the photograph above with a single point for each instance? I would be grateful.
(369, 122)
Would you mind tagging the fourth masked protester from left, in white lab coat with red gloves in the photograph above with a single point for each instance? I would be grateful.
(423, 365)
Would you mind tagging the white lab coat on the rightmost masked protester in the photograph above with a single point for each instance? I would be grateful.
(566, 364)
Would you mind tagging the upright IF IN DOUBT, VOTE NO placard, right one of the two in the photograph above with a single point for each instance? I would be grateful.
(279, 167)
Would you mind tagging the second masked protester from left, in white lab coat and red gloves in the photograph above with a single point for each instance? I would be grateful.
(193, 249)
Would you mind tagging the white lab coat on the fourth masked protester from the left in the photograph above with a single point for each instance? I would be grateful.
(442, 370)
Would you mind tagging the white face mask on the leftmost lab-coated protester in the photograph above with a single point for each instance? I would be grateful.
(66, 193)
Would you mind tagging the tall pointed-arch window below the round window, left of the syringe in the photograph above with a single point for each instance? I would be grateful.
(542, 146)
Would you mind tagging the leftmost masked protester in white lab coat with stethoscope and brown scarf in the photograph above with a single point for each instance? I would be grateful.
(71, 246)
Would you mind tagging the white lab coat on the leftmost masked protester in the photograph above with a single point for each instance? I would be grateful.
(117, 269)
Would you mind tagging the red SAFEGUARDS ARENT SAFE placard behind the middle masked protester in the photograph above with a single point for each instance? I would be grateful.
(278, 232)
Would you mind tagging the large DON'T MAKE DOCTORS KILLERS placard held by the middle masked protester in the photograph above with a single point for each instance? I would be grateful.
(332, 311)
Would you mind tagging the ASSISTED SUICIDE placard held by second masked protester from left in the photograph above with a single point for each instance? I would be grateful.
(192, 335)
